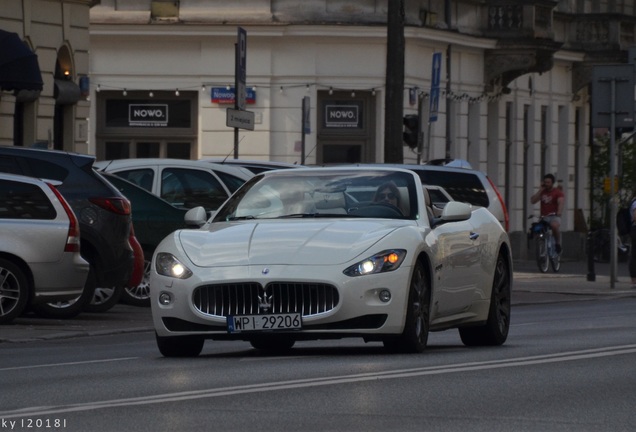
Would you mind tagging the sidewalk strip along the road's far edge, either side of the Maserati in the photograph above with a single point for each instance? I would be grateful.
(529, 287)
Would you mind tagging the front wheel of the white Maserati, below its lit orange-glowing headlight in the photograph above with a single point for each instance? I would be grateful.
(415, 335)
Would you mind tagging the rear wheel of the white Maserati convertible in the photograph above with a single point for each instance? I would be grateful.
(495, 331)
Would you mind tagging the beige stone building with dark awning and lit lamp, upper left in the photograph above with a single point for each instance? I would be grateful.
(53, 114)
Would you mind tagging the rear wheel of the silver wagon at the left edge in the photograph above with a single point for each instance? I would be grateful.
(14, 291)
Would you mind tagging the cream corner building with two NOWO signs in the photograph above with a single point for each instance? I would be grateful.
(513, 99)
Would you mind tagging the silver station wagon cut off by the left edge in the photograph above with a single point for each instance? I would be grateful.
(40, 257)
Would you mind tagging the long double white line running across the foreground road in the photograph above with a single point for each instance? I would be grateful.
(315, 382)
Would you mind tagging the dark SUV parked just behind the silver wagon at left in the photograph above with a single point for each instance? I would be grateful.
(103, 214)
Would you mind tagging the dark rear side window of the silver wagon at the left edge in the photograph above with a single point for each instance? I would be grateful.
(24, 201)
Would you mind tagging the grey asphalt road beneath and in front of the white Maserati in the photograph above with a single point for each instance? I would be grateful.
(567, 366)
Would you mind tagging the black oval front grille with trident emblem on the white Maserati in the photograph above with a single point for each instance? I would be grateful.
(277, 297)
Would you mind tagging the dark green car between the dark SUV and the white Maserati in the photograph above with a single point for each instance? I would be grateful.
(153, 219)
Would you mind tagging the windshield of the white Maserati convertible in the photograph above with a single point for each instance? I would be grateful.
(324, 193)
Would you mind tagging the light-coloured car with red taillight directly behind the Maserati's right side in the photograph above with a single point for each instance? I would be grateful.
(462, 183)
